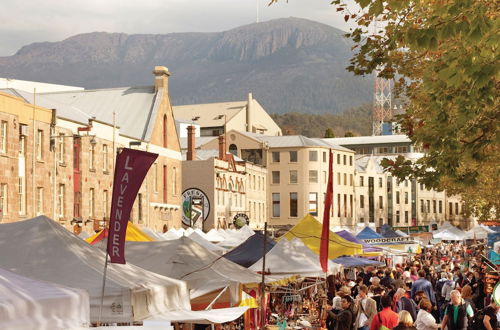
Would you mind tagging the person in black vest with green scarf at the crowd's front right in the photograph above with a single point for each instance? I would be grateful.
(457, 313)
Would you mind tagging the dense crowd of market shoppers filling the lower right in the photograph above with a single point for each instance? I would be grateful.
(442, 288)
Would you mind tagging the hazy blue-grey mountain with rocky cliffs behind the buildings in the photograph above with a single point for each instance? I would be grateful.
(288, 64)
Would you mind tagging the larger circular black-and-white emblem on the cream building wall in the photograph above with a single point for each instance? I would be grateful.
(195, 208)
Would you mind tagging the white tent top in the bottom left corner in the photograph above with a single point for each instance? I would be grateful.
(31, 304)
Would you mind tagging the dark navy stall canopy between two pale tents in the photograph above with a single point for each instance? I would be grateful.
(250, 251)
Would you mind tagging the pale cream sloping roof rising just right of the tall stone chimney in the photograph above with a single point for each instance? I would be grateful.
(208, 112)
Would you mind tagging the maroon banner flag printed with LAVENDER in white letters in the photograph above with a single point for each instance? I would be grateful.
(131, 168)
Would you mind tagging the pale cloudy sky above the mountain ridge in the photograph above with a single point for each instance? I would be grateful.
(24, 22)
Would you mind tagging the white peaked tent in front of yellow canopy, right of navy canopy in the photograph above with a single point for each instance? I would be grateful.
(293, 258)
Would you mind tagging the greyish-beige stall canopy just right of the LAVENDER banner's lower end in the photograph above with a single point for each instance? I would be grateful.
(184, 259)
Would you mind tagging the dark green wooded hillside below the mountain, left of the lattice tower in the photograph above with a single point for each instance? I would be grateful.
(357, 120)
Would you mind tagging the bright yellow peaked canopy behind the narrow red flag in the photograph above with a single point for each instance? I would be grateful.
(308, 230)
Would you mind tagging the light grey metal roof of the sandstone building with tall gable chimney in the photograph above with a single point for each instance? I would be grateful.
(133, 106)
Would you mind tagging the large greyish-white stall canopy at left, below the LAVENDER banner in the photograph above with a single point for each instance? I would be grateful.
(42, 249)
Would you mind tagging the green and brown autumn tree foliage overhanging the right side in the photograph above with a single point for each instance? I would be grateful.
(444, 58)
